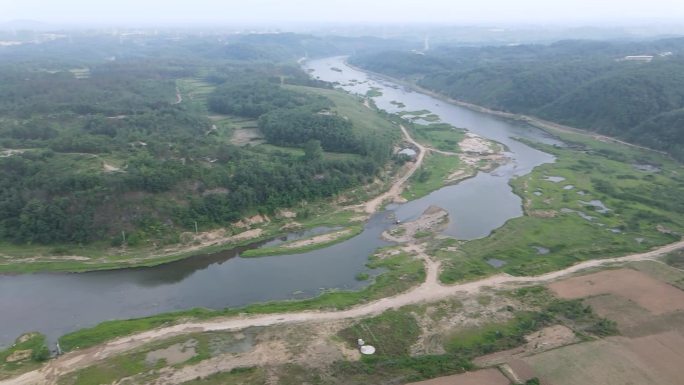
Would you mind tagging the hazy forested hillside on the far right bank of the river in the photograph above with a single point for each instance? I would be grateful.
(586, 84)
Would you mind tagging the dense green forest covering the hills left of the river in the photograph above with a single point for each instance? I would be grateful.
(93, 138)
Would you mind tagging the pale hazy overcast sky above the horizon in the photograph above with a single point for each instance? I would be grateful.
(286, 11)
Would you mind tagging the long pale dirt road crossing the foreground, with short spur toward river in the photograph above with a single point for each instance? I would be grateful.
(429, 291)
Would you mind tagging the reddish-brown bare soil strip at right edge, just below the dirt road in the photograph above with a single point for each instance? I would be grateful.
(649, 293)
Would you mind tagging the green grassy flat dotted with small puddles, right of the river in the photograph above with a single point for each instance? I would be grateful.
(639, 205)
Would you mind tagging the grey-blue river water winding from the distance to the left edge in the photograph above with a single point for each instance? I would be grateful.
(57, 303)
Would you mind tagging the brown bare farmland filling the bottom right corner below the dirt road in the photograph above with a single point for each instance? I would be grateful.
(650, 317)
